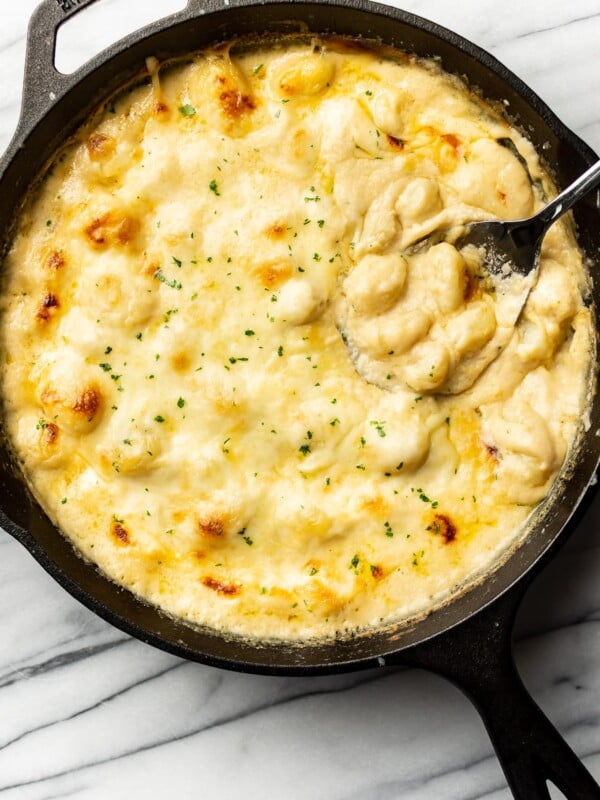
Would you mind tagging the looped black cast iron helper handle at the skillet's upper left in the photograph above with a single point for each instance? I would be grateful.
(42, 82)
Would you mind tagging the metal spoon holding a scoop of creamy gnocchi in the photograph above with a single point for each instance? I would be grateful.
(481, 276)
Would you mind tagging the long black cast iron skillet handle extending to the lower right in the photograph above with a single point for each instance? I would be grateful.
(477, 657)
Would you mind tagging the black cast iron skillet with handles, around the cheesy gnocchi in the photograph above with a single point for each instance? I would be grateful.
(469, 640)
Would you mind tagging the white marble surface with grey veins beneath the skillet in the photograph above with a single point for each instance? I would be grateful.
(87, 712)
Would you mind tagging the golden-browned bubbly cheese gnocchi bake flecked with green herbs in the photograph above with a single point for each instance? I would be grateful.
(225, 371)
